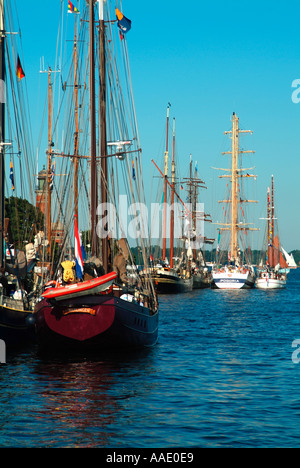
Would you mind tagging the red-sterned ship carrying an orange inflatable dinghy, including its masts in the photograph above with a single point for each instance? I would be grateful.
(102, 312)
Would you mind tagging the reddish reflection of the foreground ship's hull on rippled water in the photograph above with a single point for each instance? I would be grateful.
(83, 396)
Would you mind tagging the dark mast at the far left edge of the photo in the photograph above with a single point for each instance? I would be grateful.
(2, 129)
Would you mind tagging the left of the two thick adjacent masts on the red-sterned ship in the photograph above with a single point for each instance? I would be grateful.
(93, 129)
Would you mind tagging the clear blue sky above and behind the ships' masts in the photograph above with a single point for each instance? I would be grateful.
(208, 59)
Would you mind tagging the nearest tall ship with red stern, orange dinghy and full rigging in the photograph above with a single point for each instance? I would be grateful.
(94, 303)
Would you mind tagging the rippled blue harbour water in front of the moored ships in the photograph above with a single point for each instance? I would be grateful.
(222, 375)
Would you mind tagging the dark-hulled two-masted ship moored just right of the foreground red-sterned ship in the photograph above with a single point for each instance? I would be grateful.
(173, 276)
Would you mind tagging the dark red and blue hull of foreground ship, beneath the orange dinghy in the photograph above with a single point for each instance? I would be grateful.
(106, 320)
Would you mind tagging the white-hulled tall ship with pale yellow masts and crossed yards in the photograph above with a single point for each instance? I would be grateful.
(236, 273)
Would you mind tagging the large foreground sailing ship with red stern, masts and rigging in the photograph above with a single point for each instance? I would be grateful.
(98, 307)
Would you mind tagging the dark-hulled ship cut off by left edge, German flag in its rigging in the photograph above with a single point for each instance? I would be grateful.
(16, 301)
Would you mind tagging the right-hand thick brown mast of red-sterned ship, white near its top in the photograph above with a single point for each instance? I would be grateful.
(103, 141)
